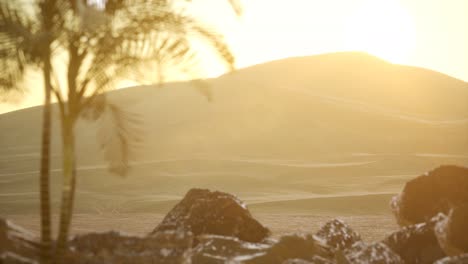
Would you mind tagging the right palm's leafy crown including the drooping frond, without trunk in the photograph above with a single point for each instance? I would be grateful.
(137, 36)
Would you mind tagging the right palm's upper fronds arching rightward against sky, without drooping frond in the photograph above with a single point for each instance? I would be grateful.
(147, 36)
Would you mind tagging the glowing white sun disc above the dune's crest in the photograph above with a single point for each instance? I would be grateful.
(382, 28)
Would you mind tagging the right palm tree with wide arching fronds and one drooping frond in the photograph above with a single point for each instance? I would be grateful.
(103, 46)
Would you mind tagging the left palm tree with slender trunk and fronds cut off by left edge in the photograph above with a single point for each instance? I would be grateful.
(25, 41)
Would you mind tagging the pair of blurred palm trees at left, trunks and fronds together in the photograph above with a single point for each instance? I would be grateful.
(102, 44)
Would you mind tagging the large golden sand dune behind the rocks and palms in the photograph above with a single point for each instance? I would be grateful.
(335, 133)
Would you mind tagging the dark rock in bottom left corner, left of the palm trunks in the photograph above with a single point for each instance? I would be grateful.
(16, 241)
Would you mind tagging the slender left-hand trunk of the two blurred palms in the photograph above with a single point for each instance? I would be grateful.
(46, 256)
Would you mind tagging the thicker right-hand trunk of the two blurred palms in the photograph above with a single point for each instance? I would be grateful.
(68, 186)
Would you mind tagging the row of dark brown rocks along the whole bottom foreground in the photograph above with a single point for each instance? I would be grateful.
(214, 228)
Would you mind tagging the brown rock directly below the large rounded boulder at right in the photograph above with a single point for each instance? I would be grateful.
(416, 243)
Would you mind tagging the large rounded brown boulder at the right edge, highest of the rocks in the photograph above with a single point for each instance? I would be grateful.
(435, 192)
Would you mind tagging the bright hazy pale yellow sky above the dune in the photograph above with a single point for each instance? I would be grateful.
(427, 33)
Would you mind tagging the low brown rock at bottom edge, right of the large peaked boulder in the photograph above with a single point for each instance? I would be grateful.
(293, 247)
